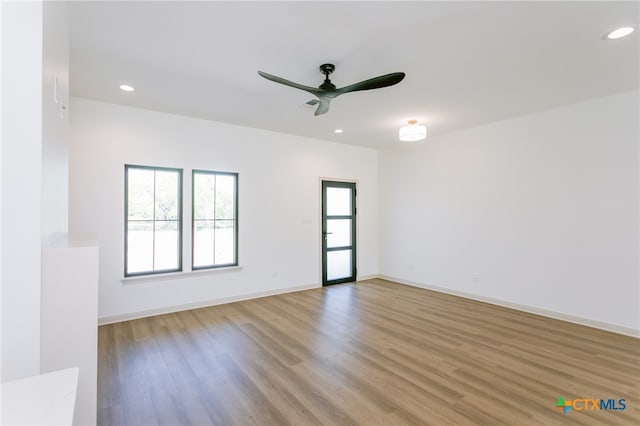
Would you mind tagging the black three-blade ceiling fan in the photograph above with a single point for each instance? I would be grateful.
(327, 90)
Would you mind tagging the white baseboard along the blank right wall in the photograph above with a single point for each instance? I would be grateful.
(614, 328)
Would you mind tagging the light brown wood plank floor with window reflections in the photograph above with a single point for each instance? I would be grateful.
(372, 353)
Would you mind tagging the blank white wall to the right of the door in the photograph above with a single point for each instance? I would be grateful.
(540, 211)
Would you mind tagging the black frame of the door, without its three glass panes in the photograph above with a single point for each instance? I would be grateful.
(352, 216)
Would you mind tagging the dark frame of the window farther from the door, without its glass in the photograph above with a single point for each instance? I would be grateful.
(126, 219)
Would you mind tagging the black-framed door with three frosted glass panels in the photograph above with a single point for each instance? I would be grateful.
(338, 232)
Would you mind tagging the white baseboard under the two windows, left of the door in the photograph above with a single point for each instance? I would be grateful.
(202, 304)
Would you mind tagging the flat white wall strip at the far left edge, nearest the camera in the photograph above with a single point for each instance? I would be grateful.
(21, 187)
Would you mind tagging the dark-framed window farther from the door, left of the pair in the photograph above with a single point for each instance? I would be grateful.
(153, 216)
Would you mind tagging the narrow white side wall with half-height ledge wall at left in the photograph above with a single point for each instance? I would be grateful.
(69, 300)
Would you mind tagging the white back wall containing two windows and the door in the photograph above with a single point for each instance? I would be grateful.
(279, 197)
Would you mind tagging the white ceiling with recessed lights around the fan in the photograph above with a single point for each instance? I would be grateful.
(467, 63)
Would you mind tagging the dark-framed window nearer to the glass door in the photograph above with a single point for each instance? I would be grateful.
(215, 219)
